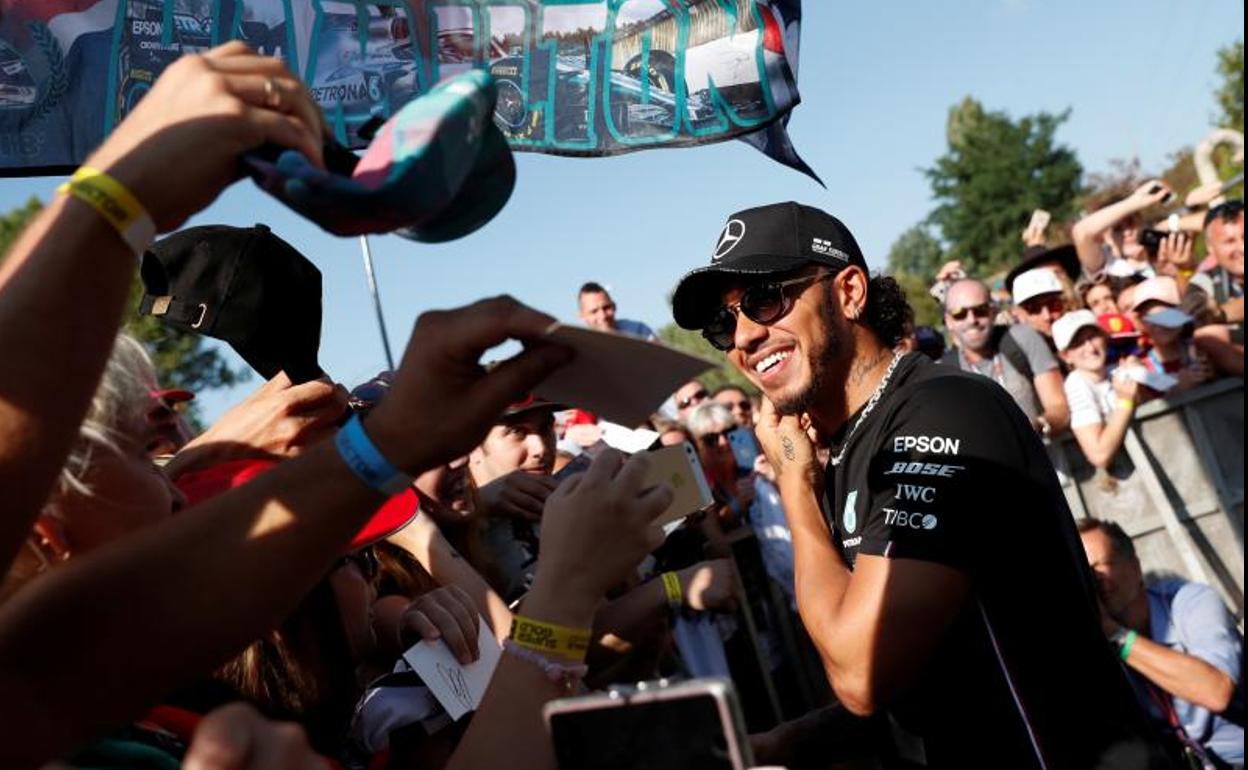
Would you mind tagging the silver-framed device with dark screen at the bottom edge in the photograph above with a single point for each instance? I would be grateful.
(688, 726)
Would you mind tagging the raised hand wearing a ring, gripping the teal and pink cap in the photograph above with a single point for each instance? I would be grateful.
(199, 118)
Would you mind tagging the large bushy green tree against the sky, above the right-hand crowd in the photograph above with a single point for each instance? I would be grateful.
(995, 173)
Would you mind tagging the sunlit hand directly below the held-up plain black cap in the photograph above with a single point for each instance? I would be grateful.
(279, 421)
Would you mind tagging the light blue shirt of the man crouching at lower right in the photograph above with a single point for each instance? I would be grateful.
(1191, 618)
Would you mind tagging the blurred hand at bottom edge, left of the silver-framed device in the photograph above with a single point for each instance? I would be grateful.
(238, 738)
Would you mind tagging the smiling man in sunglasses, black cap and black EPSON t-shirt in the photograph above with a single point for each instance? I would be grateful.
(943, 582)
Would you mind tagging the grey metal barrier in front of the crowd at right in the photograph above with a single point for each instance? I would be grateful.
(1177, 487)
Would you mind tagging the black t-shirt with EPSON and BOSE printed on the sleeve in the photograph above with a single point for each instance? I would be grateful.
(948, 470)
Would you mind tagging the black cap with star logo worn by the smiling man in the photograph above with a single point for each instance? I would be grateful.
(777, 239)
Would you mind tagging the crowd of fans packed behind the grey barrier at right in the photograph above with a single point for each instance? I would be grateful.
(1081, 335)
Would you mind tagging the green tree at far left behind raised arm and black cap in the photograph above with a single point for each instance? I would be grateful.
(183, 361)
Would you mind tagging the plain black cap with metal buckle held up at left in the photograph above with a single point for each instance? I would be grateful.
(244, 286)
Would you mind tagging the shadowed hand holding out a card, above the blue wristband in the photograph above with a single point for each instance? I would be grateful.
(444, 402)
